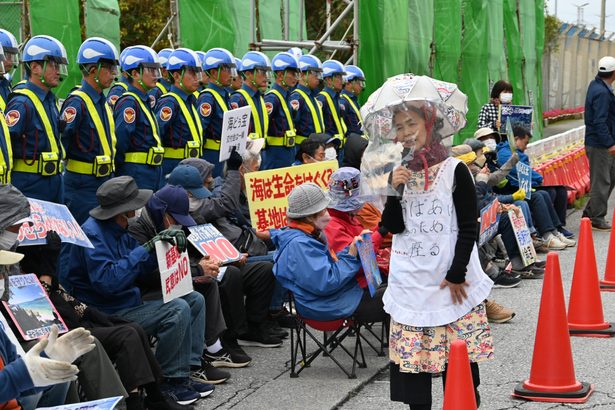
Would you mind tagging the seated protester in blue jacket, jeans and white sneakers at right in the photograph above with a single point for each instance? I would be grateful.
(548, 220)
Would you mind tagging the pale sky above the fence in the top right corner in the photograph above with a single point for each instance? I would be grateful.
(567, 12)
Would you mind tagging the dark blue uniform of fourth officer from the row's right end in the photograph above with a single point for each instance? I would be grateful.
(281, 149)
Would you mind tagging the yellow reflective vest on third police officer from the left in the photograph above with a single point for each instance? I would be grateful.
(103, 164)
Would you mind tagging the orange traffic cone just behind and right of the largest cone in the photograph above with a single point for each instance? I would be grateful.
(585, 315)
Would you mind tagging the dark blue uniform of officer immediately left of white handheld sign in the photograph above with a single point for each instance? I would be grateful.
(211, 114)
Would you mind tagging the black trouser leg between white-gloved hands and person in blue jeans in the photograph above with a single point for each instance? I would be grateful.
(128, 347)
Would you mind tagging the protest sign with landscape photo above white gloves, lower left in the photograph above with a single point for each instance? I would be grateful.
(30, 309)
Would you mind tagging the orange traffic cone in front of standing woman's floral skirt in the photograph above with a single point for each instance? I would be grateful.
(459, 389)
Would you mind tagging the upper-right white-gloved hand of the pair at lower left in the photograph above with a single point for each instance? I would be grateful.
(69, 346)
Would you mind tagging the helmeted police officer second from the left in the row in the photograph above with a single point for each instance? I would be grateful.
(32, 118)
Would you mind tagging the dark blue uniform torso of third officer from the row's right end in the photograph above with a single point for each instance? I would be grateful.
(308, 116)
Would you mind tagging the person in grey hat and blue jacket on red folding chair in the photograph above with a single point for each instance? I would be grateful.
(323, 283)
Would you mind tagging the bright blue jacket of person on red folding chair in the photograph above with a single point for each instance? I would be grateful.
(323, 289)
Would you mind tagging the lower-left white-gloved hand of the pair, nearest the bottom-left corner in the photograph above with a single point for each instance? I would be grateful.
(46, 372)
